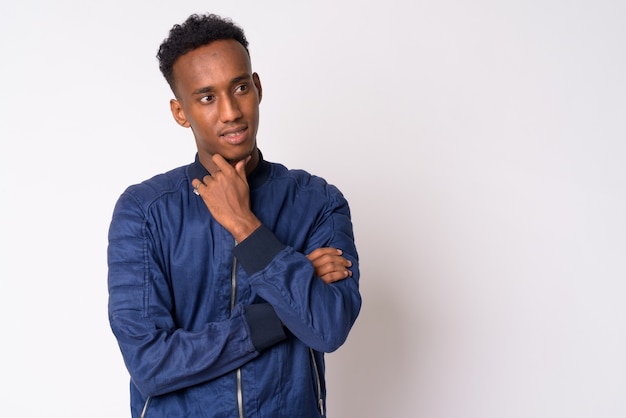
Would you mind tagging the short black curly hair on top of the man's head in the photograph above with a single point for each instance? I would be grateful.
(196, 31)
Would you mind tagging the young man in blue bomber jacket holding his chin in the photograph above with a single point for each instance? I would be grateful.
(230, 277)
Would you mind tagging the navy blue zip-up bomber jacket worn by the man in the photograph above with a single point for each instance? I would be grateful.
(209, 327)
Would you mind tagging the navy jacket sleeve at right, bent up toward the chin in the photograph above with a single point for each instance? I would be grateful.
(319, 314)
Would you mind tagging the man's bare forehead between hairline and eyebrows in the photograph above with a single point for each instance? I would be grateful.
(211, 65)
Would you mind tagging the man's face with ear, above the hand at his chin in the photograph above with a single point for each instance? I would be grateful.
(218, 97)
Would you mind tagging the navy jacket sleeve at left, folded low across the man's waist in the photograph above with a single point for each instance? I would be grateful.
(160, 356)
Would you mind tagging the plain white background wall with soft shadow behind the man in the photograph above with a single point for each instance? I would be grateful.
(481, 146)
